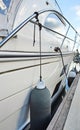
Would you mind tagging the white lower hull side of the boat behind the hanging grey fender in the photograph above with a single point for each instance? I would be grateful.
(17, 78)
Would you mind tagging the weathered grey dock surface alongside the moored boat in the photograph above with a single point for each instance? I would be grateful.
(67, 116)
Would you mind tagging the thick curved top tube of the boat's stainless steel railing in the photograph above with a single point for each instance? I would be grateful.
(60, 16)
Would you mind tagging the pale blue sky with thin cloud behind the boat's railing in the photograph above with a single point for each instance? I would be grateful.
(71, 10)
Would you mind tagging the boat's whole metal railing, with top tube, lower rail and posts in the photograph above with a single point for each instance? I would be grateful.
(36, 14)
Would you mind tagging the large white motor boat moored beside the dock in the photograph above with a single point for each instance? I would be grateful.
(24, 26)
